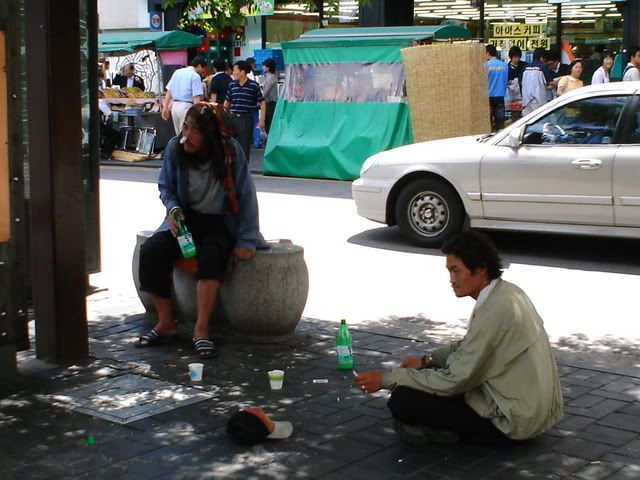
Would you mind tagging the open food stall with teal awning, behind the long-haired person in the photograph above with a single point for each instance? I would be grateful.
(137, 112)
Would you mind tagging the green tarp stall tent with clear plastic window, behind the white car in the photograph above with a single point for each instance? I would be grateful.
(343, 99)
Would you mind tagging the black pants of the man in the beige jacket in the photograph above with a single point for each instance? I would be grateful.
(415, 407)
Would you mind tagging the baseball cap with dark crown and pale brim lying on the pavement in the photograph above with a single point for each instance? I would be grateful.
(252, 425)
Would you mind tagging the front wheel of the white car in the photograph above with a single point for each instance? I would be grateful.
(429, 212)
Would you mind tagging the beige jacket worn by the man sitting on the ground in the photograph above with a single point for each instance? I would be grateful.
(504, 366)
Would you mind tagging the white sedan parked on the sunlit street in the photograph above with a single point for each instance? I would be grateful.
(572, 166)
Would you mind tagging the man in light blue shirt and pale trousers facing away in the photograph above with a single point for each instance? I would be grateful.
(183, 91)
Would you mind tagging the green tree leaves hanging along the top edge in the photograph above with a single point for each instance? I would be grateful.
(215, 15)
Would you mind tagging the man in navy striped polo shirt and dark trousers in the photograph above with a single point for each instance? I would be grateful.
(242, 97)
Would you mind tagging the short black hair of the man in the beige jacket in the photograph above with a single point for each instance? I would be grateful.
(476, 251)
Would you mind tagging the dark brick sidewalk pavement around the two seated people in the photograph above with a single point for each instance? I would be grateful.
(339, 432)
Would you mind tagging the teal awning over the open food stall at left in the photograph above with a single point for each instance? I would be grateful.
(130, 42)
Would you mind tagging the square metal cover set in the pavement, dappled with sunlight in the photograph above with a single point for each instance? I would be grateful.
(127, 398)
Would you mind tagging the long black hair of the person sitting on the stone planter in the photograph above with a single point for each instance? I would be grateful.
(204, 120)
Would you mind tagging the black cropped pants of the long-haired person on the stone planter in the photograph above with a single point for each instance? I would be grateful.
(159, 253)
